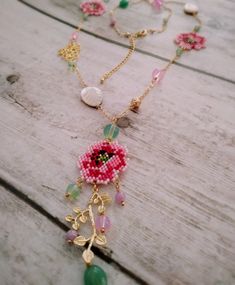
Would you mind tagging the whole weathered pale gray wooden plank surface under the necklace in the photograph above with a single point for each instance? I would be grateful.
(178, 226)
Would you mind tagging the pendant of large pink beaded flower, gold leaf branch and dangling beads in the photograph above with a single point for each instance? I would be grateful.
(101, 164)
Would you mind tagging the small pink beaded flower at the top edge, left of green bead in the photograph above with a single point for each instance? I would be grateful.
(95, 7)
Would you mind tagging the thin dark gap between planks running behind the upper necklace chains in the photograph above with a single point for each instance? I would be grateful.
(123, 45)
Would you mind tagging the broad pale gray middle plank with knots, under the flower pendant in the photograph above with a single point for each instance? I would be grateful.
(178, 226)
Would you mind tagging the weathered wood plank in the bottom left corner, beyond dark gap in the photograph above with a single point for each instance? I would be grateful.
(33, 251)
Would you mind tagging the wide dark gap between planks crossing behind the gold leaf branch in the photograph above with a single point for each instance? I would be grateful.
(10, 188)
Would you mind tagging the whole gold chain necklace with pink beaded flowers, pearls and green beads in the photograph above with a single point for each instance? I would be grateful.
(105, 160)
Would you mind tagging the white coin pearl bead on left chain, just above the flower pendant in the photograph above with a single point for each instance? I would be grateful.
(92, 96)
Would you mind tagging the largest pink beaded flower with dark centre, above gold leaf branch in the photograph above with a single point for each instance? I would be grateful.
(102, 162)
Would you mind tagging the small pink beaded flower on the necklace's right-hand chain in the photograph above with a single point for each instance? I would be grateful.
(188, 41)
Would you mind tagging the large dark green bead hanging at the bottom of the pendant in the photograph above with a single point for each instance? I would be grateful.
(95, 275)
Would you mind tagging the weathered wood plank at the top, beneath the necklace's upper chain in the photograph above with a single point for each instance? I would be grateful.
(217, 16)
